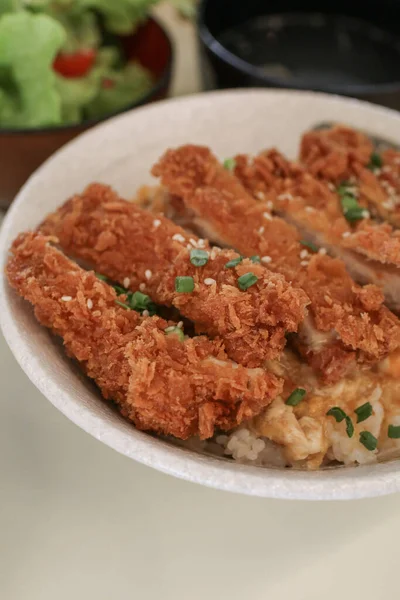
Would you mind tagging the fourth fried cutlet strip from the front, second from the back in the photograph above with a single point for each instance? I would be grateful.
(327, 218)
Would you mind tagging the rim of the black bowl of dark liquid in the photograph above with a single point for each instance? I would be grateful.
(247, 68)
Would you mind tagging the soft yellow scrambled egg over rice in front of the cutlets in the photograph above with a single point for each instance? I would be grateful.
(311, 438)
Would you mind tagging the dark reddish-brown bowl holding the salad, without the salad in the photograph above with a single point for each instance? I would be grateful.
(23, 150)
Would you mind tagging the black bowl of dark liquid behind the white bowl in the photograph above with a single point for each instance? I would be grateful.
(350, 48)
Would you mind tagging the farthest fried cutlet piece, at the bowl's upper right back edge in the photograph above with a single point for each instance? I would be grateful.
(341, 154)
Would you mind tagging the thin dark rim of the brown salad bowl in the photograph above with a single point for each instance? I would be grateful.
(159, 85)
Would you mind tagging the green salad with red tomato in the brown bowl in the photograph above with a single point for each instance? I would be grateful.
(61, 60)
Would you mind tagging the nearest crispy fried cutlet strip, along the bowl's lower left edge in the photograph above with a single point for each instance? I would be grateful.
(159, 382)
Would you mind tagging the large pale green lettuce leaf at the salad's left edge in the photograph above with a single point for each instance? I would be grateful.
(28, 46)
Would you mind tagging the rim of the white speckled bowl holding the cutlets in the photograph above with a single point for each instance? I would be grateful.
(332, 484)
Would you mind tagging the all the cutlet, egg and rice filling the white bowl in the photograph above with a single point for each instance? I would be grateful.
(297, 364)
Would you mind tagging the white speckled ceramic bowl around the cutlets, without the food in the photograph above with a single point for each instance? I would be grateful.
(121, 152)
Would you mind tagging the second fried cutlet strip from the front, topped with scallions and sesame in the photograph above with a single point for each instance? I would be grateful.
(132, 247)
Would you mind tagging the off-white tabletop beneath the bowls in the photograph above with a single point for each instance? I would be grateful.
(78, 521)
